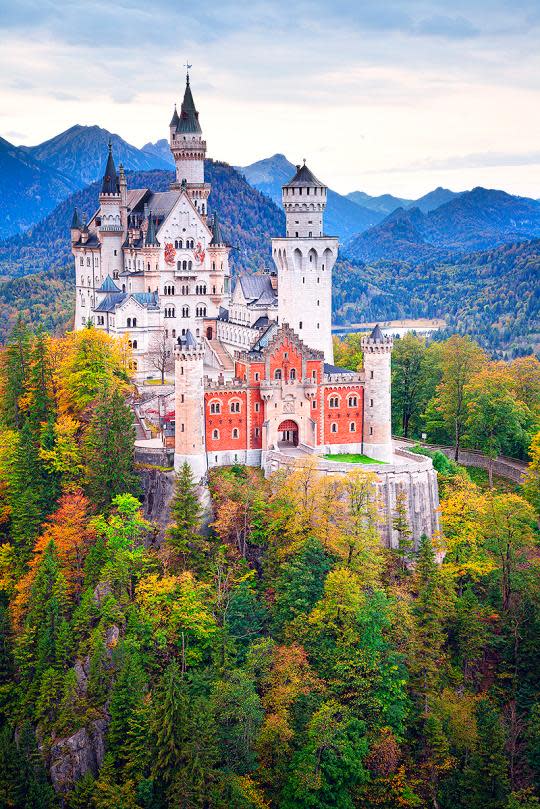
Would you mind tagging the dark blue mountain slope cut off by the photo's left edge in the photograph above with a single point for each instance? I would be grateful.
(28, 189)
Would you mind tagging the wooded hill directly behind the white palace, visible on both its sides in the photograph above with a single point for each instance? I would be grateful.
(248, 219)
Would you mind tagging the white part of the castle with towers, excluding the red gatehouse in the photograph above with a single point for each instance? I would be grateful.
(154, 266)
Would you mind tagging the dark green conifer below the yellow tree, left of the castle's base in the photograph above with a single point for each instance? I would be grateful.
(108, 447)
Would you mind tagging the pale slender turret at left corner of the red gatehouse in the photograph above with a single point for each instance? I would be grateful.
(190, 444)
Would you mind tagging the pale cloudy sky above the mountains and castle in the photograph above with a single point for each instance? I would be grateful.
(383, 96)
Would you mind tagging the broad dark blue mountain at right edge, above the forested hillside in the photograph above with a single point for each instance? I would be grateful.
(474, 220)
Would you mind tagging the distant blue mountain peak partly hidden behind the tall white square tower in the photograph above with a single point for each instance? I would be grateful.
(343, 218)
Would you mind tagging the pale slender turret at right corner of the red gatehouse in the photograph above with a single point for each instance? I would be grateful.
(377, 433)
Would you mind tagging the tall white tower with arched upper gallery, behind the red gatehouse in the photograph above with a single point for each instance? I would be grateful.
(304, 260)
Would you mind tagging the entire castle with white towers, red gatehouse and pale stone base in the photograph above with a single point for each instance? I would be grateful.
(254, 377)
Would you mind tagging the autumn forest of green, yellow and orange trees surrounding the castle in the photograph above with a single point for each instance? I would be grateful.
(282, 657)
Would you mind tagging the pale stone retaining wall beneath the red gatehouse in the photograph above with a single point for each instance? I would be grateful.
(413, 474)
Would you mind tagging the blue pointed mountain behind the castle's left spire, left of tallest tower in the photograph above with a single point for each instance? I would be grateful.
(81, 151)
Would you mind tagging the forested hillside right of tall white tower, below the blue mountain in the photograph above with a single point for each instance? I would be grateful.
(492, 295)
